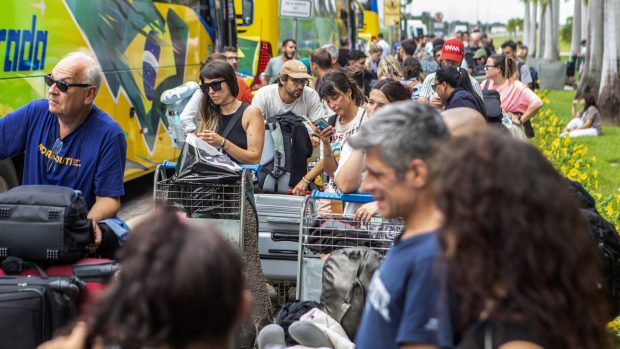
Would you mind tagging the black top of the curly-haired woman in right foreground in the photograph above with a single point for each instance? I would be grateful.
(491, 334)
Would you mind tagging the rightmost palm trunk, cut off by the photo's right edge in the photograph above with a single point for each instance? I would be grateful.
(609, 92)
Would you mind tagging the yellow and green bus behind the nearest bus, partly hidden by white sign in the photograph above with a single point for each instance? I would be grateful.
(260, 31)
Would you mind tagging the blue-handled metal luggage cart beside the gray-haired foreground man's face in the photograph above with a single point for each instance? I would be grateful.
(320, 234)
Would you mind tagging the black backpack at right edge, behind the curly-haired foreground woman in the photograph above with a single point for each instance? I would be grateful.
(606, 240)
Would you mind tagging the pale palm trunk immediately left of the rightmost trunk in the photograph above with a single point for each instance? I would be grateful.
(591, 79)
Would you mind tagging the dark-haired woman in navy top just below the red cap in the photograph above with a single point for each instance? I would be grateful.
(454, 88)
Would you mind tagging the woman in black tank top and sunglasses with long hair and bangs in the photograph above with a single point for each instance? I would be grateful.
(235, 127)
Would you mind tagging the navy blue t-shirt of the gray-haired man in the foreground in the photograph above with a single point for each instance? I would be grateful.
(403, 304)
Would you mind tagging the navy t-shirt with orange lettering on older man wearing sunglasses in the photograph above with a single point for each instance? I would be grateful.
(91, 158)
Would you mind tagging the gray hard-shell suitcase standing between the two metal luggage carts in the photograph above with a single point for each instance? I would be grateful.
(278, 237)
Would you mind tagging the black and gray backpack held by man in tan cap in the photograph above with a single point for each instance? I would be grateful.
(285, 153)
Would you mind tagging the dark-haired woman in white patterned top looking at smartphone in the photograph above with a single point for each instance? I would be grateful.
(345, 98)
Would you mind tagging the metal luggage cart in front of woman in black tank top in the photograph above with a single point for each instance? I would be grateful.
(217, 204)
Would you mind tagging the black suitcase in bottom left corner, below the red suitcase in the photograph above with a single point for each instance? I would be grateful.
(32, 308)
